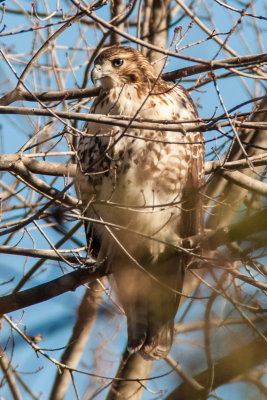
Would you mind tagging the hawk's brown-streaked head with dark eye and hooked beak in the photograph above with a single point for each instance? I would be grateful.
(118, 65)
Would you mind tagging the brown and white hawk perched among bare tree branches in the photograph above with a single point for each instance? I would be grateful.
(146, 182)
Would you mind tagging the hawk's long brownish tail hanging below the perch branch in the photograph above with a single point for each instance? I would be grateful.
(151, 321)
